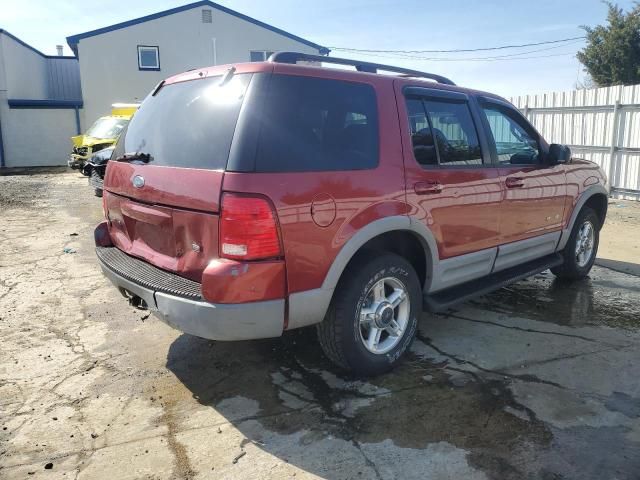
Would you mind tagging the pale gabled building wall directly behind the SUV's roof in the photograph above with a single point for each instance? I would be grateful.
(109, 62)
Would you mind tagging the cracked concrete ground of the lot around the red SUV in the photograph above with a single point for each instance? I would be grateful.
(538, 380)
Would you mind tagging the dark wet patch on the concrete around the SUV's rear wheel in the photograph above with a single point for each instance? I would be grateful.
(414, 406)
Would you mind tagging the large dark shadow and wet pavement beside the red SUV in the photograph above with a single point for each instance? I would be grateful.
(443, 404)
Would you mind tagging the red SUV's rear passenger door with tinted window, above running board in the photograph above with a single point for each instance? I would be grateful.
(452, 185)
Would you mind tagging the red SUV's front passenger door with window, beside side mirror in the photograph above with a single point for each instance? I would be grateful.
(535, 192)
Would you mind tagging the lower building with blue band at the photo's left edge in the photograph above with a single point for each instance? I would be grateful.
(40, 104)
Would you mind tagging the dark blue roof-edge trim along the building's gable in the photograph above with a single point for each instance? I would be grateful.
(73, 40)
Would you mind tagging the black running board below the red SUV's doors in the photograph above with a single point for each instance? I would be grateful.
(441, 301)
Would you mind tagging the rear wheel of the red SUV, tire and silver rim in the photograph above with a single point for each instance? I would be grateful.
(373, 316)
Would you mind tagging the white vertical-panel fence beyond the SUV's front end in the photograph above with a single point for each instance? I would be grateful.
(601, 125)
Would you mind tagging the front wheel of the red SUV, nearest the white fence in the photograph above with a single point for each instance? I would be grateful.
(581, 249)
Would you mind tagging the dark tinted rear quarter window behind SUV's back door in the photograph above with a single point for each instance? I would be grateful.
(313, 124)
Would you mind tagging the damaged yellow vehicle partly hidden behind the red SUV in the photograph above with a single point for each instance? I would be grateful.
(102, 134)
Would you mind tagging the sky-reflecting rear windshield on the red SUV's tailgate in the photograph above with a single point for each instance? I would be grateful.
(188, 124)
